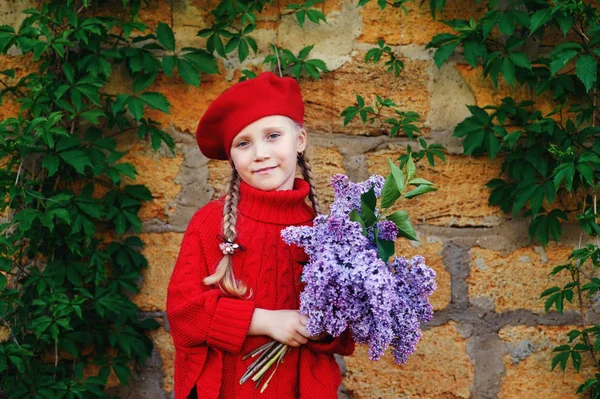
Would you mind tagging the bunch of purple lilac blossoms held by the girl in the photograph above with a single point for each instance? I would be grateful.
(349, 281)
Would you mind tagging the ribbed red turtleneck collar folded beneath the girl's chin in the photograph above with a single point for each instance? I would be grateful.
(278, 207)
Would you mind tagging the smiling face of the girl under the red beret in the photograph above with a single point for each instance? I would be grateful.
(265, 152)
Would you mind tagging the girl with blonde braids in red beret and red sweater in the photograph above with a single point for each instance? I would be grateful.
(236, 284)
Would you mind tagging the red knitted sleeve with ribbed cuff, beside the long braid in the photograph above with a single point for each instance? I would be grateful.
(198, 314)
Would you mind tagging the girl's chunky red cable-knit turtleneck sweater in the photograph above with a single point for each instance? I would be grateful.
(209, 329)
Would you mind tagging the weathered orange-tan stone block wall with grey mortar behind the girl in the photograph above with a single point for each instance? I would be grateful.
(490, 337)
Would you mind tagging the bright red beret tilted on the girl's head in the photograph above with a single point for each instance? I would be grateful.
(242, 104)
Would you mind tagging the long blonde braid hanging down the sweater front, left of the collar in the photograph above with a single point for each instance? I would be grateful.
(223, 275)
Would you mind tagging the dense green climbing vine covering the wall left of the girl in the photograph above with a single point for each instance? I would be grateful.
(70, 258)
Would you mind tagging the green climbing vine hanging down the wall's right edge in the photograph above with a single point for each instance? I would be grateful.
(545, 155)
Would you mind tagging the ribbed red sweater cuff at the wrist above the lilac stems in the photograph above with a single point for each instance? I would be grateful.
(230, 324)
